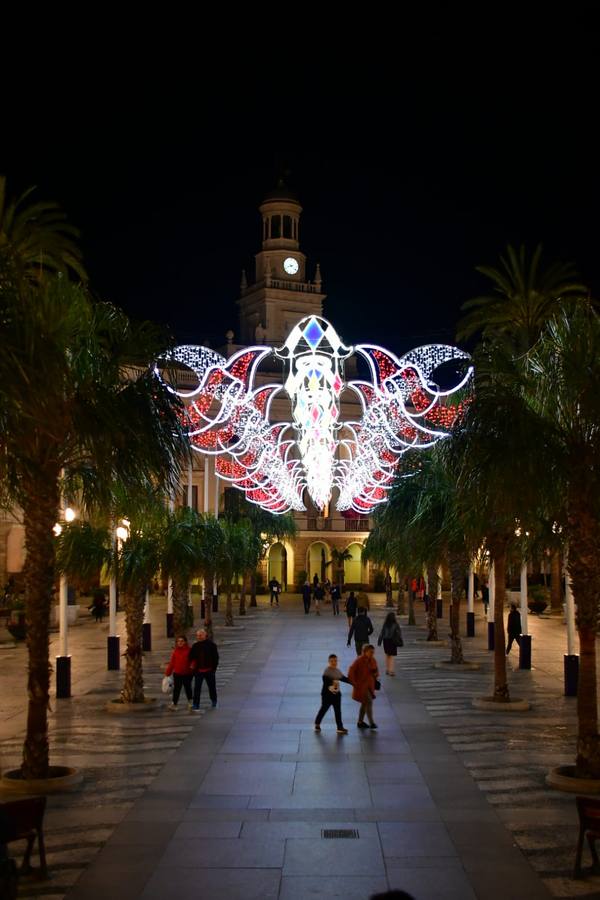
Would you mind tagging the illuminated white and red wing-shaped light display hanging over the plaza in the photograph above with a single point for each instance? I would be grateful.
(275, 463)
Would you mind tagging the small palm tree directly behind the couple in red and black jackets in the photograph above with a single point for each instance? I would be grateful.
(180, 558)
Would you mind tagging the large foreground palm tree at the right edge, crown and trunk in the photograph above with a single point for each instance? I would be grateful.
(562, 387)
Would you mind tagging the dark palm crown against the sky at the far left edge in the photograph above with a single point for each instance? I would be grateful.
(36, 239)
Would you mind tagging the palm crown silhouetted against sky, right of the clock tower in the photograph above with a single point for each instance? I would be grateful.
(523, 298)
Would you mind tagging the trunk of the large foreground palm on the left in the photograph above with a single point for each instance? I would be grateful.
(40, 513)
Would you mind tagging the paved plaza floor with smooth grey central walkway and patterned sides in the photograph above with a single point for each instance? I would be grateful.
(442, 801)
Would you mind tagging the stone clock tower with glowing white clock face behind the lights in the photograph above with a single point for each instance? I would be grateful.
(281, 294)
